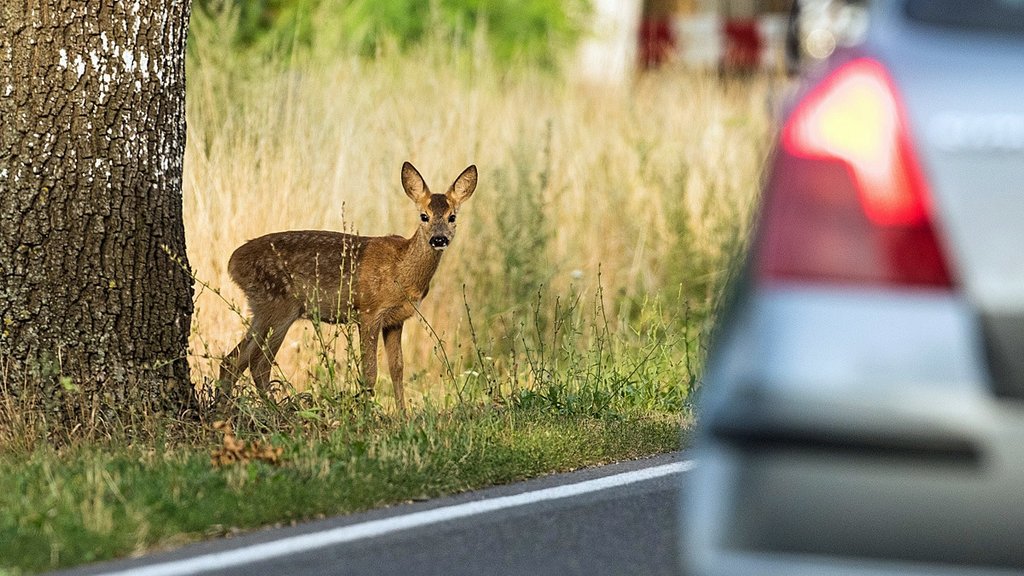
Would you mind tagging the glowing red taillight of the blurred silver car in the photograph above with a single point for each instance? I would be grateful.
(847, 200)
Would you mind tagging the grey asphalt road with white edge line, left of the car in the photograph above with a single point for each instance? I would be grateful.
(612, 520)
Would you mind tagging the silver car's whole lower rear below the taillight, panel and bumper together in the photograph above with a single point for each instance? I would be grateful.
(855, 434)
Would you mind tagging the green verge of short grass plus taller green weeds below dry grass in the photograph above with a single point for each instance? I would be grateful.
(571, 395)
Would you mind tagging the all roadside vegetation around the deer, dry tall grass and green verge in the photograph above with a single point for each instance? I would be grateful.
(565, 328)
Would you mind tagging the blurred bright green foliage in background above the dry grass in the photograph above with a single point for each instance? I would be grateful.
(535, 31)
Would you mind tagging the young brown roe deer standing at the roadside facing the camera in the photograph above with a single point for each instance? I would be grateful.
(339, 278)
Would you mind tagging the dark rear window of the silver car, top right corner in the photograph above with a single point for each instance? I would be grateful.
(1003, 17)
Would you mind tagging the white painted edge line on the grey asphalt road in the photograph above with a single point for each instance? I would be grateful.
(306, 543)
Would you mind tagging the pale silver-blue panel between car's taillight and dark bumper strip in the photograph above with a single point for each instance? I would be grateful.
(868, 342)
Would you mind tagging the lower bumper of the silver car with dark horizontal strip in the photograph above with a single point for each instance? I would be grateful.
(934, 486)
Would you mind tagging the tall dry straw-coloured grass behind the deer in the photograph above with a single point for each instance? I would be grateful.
(649, 185)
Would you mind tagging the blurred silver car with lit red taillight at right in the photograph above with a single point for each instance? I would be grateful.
(863, 412)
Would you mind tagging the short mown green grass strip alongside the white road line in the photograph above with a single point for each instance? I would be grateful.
(86, 504)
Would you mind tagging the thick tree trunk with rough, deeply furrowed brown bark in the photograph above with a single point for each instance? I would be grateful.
(96, 296)
